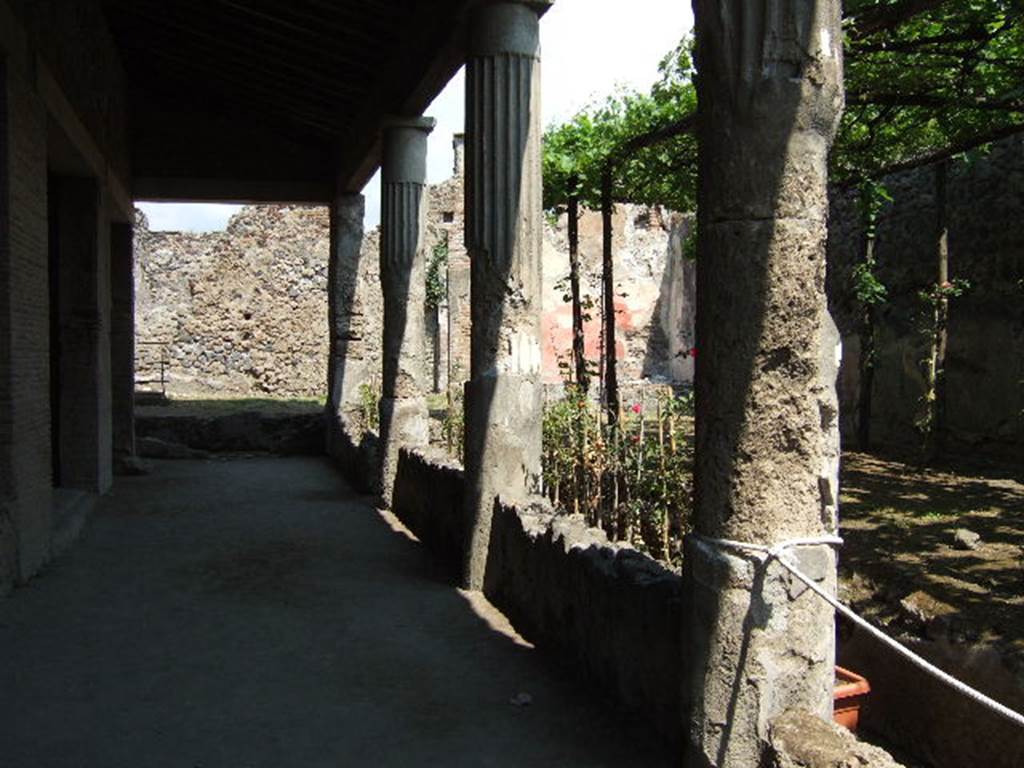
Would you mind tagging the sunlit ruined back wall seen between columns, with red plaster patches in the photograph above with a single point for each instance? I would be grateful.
(244, 312)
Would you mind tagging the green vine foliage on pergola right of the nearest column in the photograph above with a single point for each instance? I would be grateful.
(927, 76)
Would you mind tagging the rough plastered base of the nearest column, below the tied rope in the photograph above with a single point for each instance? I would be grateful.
(757, 643)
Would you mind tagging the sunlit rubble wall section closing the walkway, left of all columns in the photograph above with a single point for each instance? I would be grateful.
(237, 313)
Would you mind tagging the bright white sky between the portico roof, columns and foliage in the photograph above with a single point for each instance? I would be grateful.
(589, 48)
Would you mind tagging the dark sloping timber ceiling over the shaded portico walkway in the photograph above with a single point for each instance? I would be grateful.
(243, 100)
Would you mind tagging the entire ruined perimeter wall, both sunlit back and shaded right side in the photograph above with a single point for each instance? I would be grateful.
(195, 292)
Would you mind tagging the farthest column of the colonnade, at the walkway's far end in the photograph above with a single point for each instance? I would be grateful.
(348, 367)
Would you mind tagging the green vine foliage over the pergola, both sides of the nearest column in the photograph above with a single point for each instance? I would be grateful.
(923, 78)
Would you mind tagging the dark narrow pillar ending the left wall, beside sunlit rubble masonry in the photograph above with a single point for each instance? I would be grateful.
(123, 339)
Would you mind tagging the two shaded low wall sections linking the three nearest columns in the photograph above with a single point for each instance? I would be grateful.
(610, 612)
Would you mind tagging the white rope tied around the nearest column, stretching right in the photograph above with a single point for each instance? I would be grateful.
(778, 551)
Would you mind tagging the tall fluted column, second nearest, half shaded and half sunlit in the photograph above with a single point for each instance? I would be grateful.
(503, 238)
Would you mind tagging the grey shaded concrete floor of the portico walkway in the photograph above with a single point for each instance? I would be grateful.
(257, 613)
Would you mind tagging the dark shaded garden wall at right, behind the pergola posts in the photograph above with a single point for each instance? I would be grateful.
(986, 359)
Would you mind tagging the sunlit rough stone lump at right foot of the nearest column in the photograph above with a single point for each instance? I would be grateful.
(799, 740)
